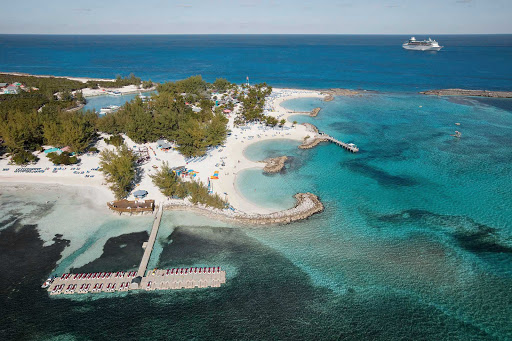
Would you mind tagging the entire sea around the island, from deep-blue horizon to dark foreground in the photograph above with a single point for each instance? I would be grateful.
(415, 242)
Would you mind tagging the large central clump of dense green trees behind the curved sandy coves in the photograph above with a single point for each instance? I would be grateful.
(168, 116)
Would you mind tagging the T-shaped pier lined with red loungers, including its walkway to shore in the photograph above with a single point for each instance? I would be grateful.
(157, 279)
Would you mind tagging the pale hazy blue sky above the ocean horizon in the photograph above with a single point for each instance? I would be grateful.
(256, 16)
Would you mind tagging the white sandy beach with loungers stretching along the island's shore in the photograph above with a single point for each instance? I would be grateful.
(232, 153)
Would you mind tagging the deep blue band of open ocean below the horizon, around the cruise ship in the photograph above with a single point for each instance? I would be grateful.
(369, 62)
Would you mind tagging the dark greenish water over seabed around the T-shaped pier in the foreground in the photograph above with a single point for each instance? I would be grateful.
(266, 297)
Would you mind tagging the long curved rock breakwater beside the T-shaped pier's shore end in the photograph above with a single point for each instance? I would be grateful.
(307, 205)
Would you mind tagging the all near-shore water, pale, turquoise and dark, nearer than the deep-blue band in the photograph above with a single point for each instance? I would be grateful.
(414, 242)
